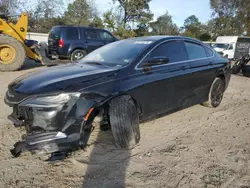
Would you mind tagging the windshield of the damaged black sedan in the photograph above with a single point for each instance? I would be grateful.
(119, 53)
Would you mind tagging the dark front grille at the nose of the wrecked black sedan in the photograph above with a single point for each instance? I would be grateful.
(13, 97)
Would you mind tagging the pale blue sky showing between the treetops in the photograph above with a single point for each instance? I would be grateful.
(178, 9)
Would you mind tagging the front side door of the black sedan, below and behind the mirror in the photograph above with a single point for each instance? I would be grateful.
(166, 85)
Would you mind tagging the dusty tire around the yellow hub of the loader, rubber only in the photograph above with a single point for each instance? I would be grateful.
(20, 54)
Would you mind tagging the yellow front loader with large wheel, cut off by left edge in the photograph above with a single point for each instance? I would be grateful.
(14, 47)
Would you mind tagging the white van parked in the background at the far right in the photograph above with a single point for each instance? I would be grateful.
(232, 47)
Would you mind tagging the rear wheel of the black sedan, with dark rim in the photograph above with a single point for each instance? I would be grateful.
(216, 92)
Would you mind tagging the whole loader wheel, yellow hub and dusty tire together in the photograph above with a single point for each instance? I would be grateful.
(12, 53)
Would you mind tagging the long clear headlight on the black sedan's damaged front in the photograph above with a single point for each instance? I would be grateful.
(49, 101)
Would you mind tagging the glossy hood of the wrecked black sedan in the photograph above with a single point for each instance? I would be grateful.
(63, 77)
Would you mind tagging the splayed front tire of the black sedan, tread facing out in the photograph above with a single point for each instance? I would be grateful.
(124, 121)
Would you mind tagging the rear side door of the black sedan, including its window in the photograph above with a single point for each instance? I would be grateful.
(202, 70)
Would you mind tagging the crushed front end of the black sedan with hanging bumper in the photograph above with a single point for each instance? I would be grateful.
(55, 123)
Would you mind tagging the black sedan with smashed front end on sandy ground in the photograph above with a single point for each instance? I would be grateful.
(128, 81)
